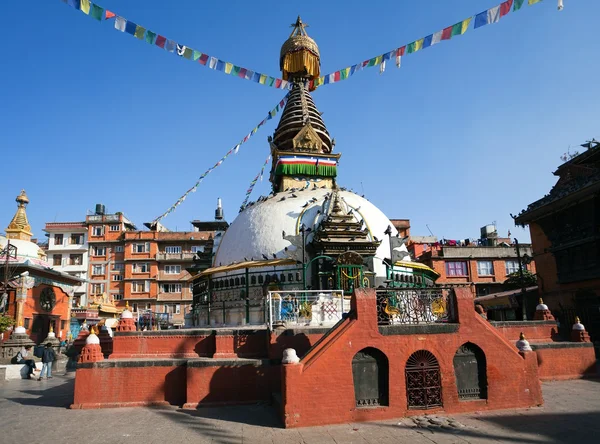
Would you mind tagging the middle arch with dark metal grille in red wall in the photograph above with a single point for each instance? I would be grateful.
(423, 381)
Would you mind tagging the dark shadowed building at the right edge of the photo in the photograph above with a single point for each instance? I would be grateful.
(565, 235)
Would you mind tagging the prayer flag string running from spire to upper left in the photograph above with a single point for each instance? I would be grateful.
(124, 25)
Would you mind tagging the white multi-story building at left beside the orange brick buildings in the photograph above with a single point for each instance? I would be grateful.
(67, 251)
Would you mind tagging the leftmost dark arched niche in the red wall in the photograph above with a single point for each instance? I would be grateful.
(370, 371)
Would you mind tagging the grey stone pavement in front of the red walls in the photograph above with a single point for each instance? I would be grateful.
(36, 412)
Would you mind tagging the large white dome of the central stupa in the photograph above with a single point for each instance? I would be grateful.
(258, 230)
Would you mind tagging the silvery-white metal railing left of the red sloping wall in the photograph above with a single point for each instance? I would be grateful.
(306, 308)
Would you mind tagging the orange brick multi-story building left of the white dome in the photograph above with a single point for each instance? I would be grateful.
(148, 269)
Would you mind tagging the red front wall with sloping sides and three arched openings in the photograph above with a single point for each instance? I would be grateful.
(326, 371)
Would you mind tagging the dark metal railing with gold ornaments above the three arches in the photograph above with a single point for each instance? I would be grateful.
(415, 306)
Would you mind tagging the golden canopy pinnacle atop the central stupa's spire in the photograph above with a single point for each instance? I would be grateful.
(299, 57)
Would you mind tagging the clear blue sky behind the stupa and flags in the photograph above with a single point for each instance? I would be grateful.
(463, 134)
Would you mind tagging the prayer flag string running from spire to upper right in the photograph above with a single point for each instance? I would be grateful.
(492, 15)
